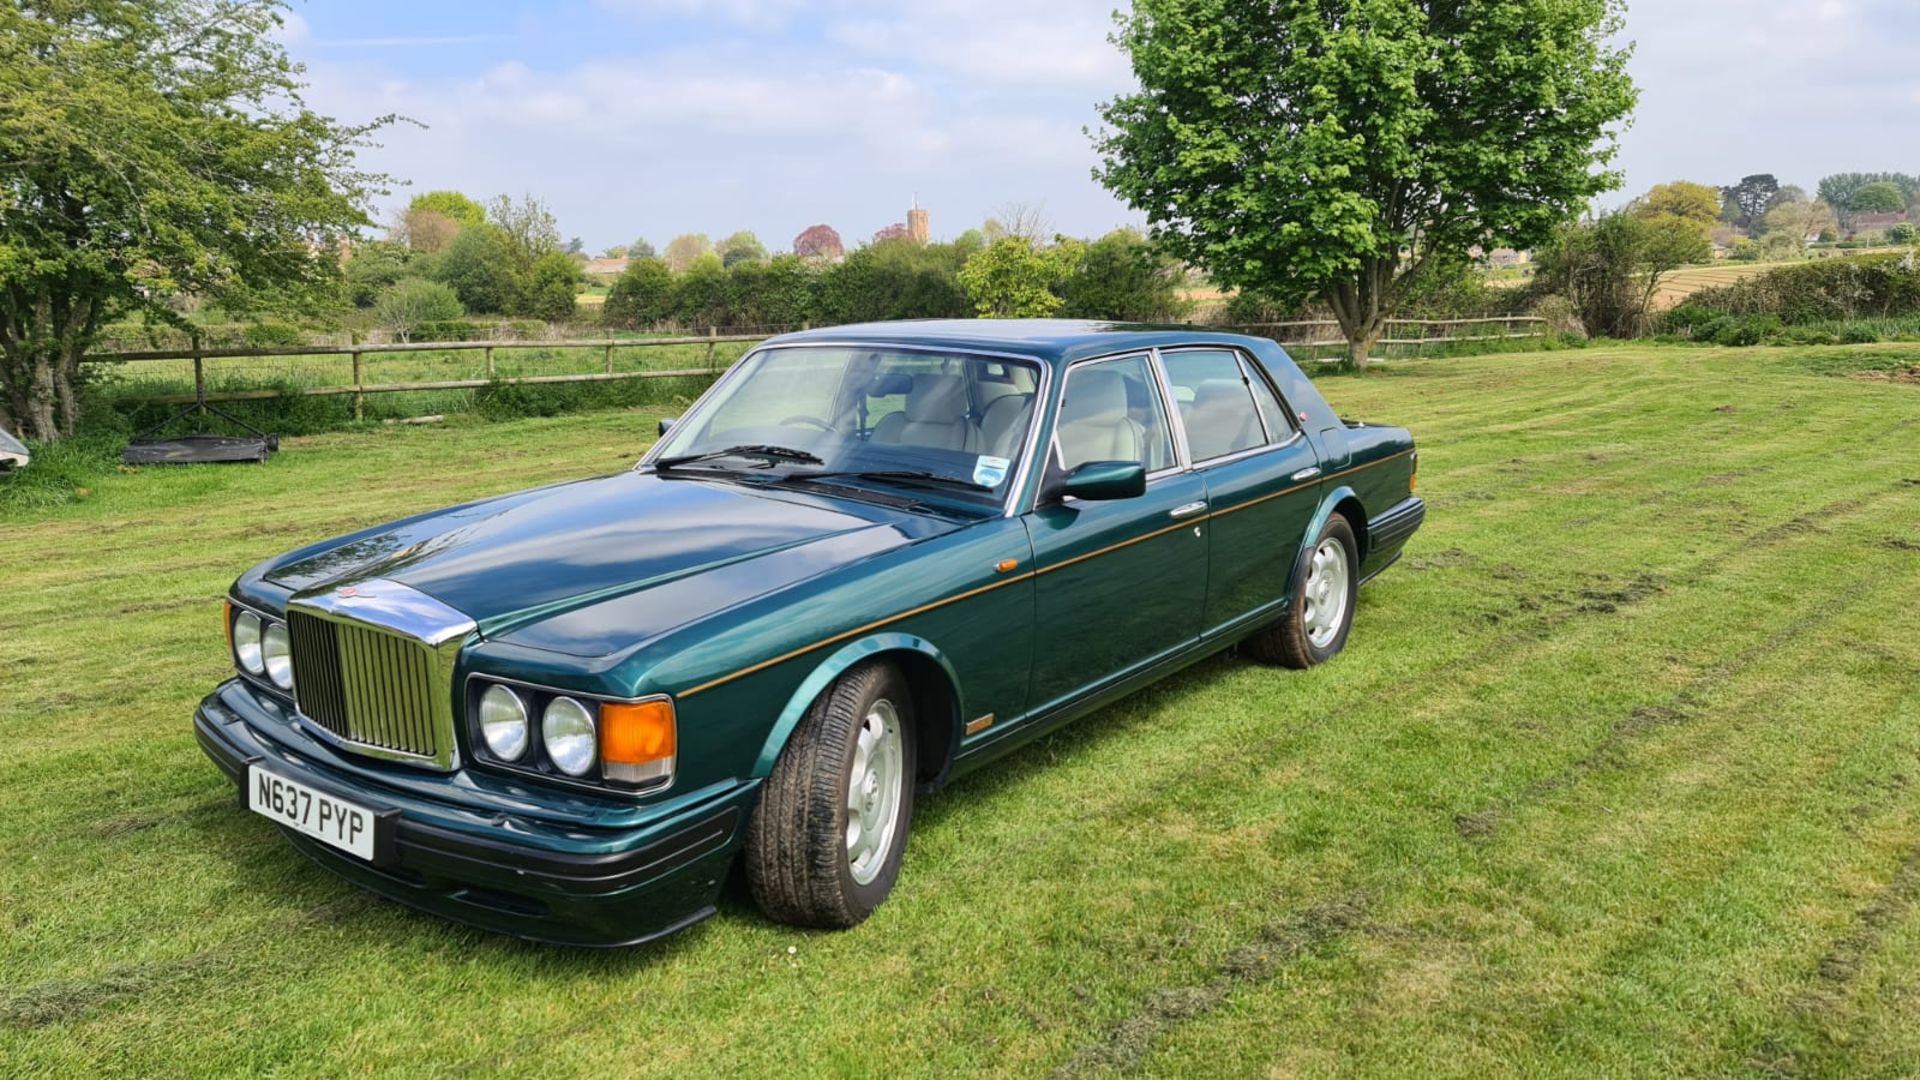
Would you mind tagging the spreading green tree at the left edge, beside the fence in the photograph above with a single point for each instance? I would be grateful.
(155, 149)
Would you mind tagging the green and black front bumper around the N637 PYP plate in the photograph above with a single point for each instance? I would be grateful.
(481, 858)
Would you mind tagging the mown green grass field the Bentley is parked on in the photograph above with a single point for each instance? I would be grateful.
(1620, 777)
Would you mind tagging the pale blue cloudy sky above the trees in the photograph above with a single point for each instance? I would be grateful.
(650, 118)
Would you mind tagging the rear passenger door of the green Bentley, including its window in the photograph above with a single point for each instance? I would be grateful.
(1260, 481)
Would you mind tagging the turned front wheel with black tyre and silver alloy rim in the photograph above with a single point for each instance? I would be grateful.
(827, 841)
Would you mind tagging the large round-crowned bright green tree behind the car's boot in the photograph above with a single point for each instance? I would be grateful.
(1339, 149)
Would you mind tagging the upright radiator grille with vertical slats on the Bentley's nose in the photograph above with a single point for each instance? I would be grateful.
(370, 687)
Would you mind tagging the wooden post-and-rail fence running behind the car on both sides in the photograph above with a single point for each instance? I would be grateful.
(1518, 328)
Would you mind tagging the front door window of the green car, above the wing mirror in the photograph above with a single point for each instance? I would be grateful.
(1111, 412)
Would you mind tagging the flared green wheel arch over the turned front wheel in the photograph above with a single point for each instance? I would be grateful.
(928, 674)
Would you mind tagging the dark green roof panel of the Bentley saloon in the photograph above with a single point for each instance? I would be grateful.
(1053, 341)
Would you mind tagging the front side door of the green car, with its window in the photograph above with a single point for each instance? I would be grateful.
(1118, 583)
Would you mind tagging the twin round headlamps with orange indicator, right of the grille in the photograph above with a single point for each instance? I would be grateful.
(573, 737)
